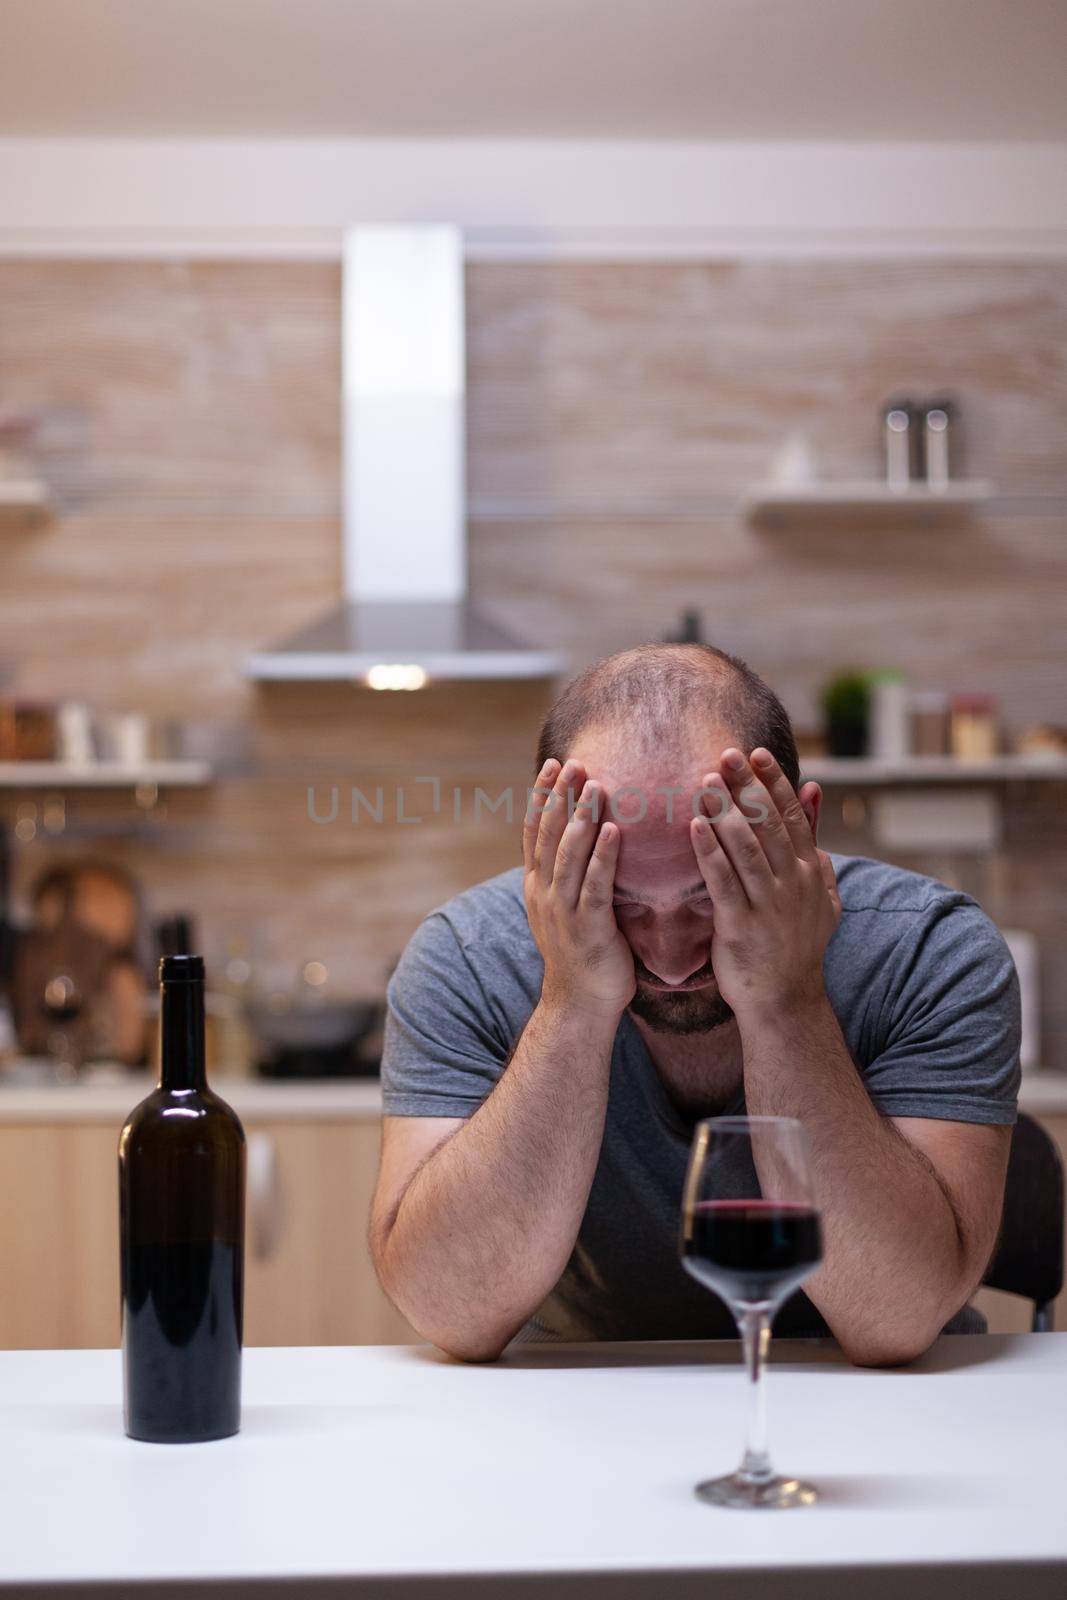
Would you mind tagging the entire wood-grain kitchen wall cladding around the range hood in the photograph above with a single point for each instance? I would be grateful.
(186, 417)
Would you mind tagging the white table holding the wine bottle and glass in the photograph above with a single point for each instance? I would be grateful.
(559, 1471)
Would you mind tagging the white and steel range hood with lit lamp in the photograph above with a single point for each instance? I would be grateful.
(406, 614)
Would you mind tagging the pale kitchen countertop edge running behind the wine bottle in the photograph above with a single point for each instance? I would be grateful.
(281, 1100)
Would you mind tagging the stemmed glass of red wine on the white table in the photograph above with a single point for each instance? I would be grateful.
(751, 1233)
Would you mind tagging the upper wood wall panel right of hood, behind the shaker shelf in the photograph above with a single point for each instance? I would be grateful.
(602, 385)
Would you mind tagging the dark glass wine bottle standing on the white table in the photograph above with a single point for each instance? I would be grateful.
(182, 1210)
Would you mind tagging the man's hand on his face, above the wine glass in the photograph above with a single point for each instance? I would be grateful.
(773, 894)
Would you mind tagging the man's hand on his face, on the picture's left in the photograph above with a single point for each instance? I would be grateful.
(569, 886)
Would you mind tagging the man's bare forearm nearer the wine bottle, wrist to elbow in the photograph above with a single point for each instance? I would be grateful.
(487, 1225)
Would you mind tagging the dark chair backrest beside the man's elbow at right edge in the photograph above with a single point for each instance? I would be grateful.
(1029, 1257)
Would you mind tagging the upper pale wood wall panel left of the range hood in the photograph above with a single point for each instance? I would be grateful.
(178, 386)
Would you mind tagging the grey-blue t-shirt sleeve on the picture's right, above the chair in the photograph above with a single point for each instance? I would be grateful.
(951, 1023)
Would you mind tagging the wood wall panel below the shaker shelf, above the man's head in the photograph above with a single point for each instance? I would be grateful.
(956, 606)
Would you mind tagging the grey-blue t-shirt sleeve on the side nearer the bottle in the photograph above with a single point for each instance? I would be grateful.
(442, 1050)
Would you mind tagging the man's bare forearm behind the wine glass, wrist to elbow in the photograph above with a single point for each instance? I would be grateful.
(893, 1266)
